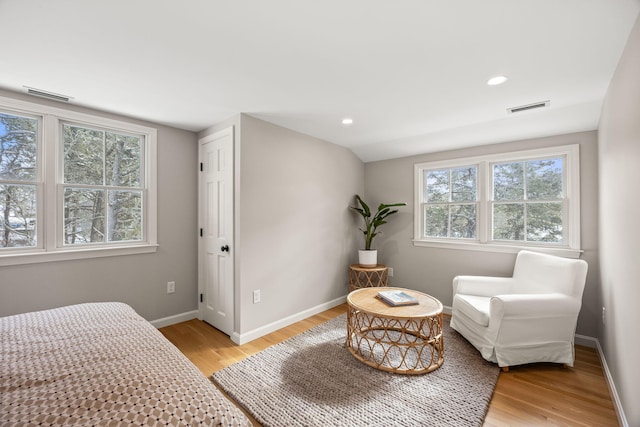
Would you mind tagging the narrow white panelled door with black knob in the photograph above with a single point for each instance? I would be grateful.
(215, 257)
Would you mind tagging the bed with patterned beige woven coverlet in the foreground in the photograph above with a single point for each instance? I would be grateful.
(101, 364)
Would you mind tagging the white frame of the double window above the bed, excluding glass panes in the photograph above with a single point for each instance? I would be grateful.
(50, 182)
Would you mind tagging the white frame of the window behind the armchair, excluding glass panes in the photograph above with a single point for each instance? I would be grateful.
(484, 242)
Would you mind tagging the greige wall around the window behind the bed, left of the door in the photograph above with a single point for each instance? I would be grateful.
(138, 280)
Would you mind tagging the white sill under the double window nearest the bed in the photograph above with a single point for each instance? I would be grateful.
(33, 257)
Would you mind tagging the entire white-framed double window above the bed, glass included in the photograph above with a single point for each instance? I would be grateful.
(73, 185)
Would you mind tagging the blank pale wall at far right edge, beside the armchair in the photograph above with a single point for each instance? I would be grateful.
(619, 156)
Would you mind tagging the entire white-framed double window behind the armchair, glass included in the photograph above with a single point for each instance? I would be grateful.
(501, 203)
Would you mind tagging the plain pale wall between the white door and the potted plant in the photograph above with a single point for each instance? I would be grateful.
(295, 235)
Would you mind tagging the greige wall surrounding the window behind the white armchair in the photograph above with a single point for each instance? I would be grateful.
(432, 270)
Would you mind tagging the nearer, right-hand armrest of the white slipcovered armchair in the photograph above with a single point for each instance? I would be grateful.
(534, 305)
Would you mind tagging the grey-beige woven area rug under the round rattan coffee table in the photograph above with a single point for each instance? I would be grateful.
(313, 380)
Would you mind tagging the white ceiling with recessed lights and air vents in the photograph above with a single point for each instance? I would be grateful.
(411, 73)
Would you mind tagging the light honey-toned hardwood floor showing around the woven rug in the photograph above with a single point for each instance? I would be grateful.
(528, 395)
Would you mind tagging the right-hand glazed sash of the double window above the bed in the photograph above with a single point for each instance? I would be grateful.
(102, 186)
